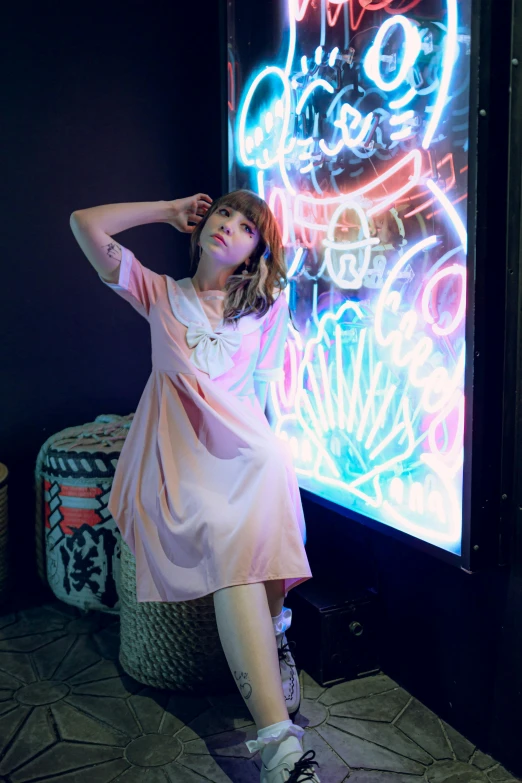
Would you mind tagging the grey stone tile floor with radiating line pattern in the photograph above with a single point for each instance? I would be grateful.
(68, 713)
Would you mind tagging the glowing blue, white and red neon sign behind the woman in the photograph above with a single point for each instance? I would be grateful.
(356, 135)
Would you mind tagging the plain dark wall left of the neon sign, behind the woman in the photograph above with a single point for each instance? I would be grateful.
(119, 103)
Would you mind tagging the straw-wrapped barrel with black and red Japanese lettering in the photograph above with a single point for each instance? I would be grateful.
(77, 541)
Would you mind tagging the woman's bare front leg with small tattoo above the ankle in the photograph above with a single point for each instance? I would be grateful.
(247, 636)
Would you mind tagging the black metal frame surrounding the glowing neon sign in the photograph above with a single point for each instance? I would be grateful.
(487, 408)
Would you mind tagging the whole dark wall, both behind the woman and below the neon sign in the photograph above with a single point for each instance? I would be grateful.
(124, 106)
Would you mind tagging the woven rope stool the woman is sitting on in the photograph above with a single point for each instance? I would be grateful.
(170, 645)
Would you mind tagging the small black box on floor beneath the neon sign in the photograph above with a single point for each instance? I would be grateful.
(335, 631)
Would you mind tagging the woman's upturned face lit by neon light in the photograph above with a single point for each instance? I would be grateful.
(229, 237)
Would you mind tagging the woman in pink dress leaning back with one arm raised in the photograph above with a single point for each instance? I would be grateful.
(204, 493)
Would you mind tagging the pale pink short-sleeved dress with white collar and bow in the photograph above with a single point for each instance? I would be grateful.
(204, 493)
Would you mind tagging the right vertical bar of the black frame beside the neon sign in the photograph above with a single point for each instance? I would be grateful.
(487, 260)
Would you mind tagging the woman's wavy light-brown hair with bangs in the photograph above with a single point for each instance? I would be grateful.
(252, 289)
